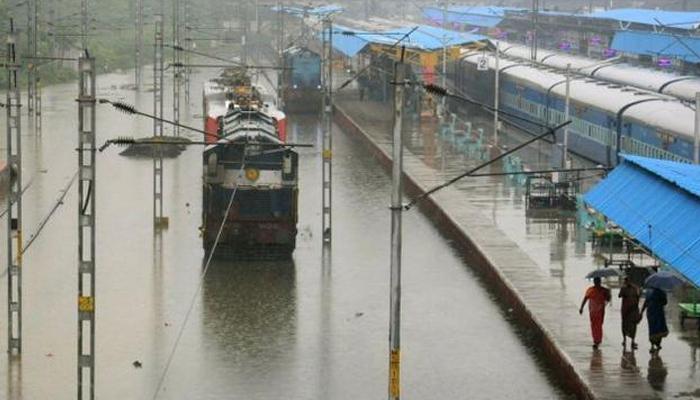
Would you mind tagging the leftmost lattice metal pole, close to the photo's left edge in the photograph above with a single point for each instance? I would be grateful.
(13, 106)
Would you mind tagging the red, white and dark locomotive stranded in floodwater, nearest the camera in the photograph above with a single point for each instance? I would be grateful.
(250, 187)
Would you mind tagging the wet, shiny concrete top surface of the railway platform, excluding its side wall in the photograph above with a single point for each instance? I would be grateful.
(544, 258)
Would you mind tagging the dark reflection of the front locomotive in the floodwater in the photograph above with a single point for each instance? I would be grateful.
(249, 314)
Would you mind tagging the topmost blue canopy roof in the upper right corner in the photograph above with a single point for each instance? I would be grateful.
(674, 19)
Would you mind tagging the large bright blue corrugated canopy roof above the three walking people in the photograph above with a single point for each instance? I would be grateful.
(658, 203)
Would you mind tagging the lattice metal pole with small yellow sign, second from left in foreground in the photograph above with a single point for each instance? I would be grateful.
(86, 228)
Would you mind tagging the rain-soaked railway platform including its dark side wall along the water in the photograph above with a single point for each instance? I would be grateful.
(535, 267)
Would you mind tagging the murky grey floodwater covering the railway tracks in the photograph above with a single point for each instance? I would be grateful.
(304, 329)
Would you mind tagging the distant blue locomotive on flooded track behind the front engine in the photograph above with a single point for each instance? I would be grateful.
(301, 80)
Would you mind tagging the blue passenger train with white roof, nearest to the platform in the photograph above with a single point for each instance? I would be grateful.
(606, 117)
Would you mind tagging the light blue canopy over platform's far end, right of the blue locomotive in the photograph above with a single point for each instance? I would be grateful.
(429, 38)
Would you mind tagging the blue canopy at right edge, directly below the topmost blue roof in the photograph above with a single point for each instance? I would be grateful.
(658, 44)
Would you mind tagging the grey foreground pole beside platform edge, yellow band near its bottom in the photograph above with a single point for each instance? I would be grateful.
(396, 210)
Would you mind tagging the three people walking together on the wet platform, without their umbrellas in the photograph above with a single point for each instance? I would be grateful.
(598, 297)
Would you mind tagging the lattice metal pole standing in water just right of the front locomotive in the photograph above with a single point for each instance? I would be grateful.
(327, 132)
